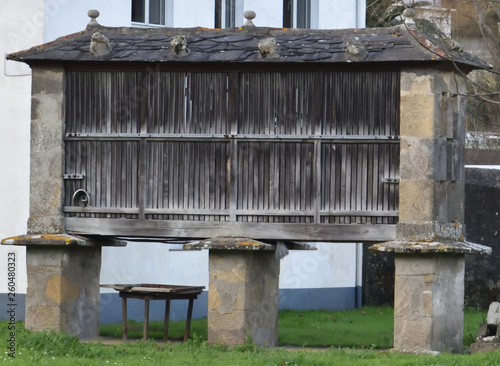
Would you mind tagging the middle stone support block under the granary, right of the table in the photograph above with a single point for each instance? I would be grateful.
(243, 297)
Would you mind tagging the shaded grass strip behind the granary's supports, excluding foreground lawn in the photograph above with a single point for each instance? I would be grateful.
(370, 327)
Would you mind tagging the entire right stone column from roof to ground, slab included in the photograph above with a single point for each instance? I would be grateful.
(430, 243)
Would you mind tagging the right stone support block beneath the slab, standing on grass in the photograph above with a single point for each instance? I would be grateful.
(428, 303)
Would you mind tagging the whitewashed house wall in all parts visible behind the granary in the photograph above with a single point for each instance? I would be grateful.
(30, 22)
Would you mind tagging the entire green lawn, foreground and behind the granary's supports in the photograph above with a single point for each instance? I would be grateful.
(356, 337)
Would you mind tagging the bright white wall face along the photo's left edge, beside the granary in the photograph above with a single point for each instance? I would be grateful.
(21, 27)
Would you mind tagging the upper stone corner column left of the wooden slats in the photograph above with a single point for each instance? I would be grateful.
(47, 152)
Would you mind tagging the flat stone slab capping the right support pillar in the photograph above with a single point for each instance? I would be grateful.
(430, 247)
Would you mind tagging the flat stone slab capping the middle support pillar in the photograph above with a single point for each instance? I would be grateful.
(233, 243)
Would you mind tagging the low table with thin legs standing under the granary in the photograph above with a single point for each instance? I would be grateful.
(149, 292)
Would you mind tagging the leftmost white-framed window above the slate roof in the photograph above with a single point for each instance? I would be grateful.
(151, 12)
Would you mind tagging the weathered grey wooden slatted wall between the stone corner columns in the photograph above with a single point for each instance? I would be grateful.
(286, 147)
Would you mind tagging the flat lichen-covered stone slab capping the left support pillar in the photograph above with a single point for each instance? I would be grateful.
(60, 240)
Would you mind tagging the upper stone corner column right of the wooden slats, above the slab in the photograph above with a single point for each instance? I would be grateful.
(432, 179)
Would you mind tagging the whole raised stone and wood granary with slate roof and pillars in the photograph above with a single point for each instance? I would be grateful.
(283, 136)
